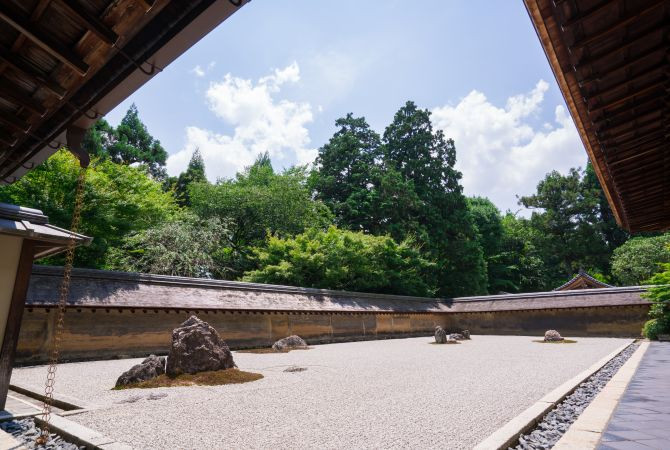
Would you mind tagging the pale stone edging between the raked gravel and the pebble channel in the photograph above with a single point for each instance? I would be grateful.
(510, 432)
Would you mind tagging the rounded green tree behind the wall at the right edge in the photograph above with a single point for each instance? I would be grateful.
(639, 258)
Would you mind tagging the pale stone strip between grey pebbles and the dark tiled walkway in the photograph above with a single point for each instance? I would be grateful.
(586, 431)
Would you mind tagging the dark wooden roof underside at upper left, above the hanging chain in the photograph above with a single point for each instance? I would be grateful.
(66, 63)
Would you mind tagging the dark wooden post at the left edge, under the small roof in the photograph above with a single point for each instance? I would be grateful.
(13, 327)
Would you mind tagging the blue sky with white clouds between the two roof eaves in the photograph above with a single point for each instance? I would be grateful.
(277, 74)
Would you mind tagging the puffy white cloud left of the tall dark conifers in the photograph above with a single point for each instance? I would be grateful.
(260, 123)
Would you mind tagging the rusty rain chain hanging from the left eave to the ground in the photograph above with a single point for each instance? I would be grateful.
(60, 315)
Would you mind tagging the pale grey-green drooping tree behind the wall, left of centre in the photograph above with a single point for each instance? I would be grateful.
(185, 246)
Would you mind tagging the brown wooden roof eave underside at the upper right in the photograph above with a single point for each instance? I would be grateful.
(612, 64)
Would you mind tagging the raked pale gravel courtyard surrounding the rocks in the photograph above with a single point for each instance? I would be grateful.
(374, 394)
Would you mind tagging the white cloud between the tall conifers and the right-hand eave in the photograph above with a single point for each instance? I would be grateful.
(500, 152)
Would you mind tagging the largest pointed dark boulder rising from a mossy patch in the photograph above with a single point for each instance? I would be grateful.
(197, 347)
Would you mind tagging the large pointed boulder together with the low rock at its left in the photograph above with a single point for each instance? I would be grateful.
(196, 347)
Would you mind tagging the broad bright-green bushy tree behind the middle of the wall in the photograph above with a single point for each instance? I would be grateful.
(346, 260)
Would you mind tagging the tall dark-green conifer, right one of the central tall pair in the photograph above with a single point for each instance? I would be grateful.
(421, 162)
